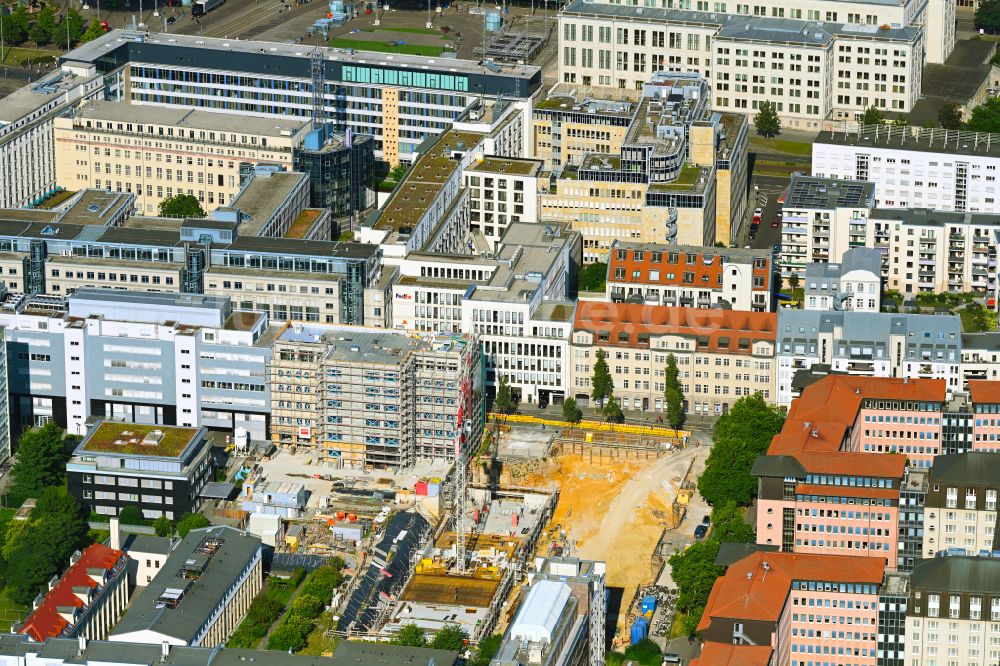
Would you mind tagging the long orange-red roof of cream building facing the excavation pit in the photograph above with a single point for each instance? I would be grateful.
(713, 326)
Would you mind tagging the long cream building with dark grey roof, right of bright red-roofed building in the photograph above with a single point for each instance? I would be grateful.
(201, 593)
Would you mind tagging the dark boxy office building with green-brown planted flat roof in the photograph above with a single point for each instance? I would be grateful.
(160, 470)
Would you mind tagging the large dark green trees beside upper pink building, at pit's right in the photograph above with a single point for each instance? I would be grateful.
(739, 437)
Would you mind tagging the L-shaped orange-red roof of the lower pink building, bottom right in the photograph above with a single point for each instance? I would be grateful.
(748, 592)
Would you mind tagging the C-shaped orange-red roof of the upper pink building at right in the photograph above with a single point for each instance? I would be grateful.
(821, 417)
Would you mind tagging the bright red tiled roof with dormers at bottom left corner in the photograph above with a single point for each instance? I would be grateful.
(45, 621)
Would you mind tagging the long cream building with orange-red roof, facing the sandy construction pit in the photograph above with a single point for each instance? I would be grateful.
(722, 355)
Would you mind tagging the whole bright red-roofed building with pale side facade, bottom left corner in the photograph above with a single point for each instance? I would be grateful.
(86, 601)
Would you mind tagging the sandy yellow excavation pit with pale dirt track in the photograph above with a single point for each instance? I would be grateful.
(624, 498)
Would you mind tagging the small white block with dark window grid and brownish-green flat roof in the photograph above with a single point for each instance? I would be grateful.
(502, 191)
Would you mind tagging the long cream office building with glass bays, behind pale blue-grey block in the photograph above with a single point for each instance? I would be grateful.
(56, 252)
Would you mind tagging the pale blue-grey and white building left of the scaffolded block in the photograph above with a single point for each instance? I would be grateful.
(144, 357)
